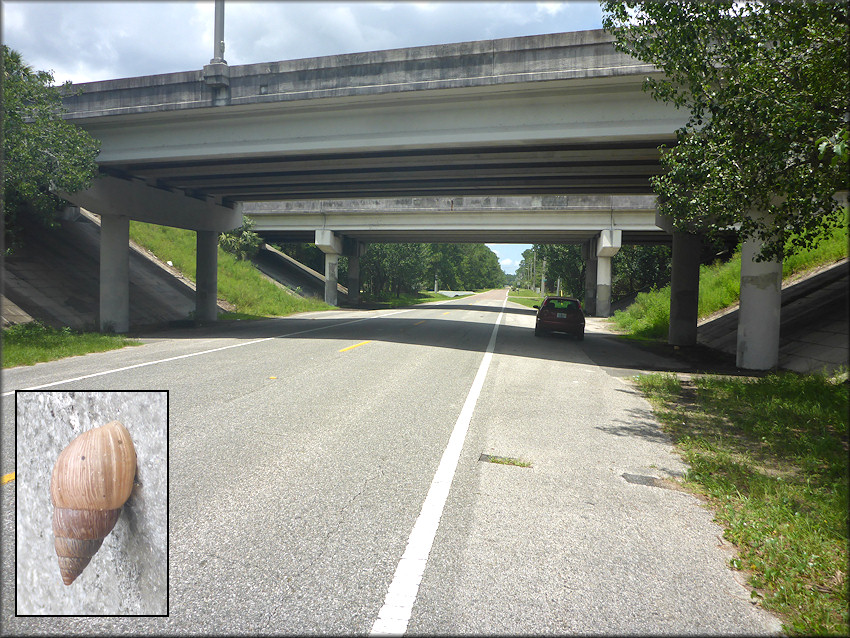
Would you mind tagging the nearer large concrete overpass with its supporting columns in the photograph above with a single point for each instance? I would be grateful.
(558, 114)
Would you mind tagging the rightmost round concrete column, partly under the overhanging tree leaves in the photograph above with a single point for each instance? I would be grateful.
(758, 317)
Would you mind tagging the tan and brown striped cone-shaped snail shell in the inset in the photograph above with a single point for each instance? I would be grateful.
(92, 479)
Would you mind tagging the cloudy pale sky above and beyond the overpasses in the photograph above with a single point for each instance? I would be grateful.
(87, 41)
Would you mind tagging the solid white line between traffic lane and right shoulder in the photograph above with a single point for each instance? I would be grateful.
(398, 605)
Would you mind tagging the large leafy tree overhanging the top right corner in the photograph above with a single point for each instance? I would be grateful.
(766, 87)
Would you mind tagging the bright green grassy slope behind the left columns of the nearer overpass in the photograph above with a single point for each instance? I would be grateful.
(239, 282)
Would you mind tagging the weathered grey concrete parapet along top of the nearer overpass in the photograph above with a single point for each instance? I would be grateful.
(557, 56)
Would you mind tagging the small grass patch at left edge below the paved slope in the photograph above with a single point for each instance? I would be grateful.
(31, 343)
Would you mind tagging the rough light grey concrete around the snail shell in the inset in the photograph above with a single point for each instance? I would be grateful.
(128, 575)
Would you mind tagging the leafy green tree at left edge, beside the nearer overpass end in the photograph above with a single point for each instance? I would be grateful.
(43, 153)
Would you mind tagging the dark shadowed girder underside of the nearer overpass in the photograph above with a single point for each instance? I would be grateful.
(558, 169)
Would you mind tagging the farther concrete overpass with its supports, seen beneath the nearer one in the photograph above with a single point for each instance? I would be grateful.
(560, 219)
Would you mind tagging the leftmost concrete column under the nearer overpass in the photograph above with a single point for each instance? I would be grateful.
(114, 273)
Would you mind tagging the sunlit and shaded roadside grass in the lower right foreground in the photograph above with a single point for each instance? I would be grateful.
(771, 456)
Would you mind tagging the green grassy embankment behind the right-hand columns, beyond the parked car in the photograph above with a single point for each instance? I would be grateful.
(720, 287)
